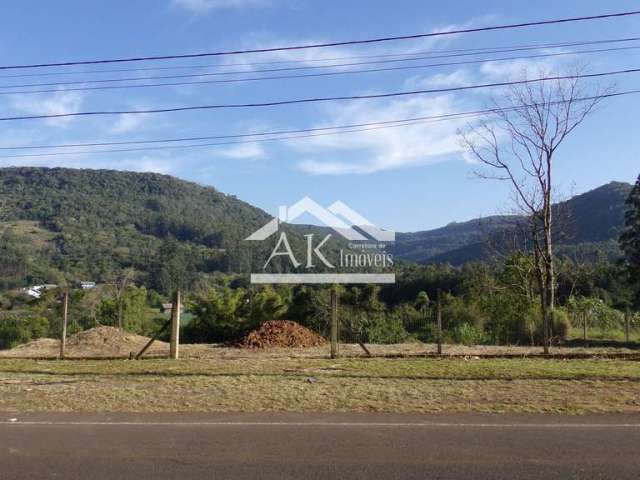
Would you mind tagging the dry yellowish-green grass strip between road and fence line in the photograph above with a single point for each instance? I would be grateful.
(266, 383)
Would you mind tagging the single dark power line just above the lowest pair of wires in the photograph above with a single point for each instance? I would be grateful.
(320, 99)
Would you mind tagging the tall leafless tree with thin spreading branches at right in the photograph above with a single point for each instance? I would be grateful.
(518, 144)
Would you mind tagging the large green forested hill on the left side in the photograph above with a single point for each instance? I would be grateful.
(90, 224)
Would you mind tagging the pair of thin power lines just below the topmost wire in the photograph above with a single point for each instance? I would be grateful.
(422, 55)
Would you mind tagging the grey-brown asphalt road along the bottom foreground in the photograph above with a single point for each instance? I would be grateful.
(318, 446)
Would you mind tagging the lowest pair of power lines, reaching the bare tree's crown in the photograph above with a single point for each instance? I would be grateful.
(278, 134)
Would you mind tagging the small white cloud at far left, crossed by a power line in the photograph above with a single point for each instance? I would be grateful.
(57, 104)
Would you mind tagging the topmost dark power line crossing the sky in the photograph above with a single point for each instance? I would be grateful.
(330, 44)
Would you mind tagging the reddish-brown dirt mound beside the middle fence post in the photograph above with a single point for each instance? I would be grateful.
(281, 333)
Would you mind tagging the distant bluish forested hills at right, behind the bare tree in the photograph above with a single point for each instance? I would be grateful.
(592, 220)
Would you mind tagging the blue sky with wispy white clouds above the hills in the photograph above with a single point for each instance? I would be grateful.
(407, 178)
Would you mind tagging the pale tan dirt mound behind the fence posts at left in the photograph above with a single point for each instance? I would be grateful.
(95, 342)
